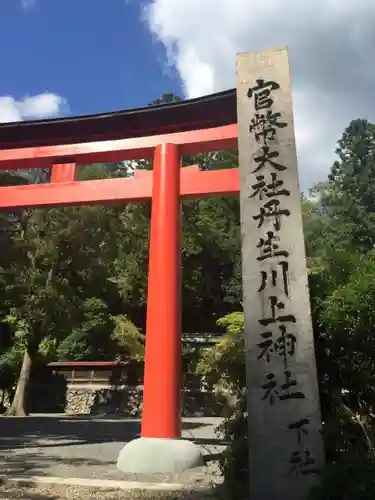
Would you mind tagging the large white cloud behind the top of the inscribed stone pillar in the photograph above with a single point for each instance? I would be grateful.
(331, 45)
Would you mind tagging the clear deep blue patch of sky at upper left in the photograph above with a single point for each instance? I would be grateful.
(98, 55)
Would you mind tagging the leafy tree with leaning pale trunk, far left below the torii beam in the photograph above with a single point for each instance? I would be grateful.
(37, 298)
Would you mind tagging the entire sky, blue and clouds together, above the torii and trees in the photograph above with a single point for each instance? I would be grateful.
(92, 56)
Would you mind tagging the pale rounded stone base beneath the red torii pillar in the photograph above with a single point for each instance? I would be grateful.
(159, 456)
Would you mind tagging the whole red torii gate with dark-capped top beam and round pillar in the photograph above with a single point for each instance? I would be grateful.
(187, 128)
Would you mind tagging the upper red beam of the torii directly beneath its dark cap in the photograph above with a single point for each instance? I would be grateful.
(191, 142)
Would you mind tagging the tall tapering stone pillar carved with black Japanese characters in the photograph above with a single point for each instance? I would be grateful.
(285, 442)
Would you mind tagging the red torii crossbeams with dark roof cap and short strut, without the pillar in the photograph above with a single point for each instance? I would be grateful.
(197, 125)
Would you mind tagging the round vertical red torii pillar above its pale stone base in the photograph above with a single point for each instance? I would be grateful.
(161, 415)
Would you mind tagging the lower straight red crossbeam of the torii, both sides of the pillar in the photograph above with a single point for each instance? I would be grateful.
(111, 191)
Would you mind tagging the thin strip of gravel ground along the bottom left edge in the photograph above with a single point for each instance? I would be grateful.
(72, 493)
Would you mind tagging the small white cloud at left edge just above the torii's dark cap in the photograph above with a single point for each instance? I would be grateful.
(46, 105)
